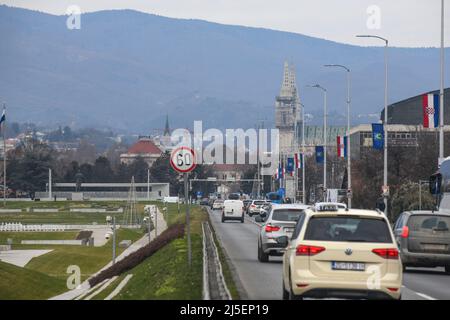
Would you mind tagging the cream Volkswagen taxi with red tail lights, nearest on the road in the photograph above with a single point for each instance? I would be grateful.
(336, 253)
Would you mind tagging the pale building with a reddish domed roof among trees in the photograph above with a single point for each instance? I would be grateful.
(144, 148)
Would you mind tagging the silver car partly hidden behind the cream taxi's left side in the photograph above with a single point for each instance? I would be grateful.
(279, 221)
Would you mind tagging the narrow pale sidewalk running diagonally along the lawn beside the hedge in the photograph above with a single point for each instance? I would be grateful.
(161, 227)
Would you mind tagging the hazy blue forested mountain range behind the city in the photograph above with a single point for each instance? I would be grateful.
(126, 70)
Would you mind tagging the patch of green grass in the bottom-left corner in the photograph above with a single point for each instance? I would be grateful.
(19, 283)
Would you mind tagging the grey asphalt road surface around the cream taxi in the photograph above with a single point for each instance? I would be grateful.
(263, 280)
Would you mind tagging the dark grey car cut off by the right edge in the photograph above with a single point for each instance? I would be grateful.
(423, 238)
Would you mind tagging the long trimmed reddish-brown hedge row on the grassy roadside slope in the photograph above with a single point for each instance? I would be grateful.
(133, 259)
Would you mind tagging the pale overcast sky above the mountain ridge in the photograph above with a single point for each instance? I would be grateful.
(407, 23)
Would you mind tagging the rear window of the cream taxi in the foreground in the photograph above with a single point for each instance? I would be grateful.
(354, 229)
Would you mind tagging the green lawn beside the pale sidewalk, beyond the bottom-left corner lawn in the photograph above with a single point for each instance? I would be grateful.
(89, 259)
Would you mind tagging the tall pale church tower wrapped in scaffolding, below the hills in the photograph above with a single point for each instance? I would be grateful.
(287, 110)
